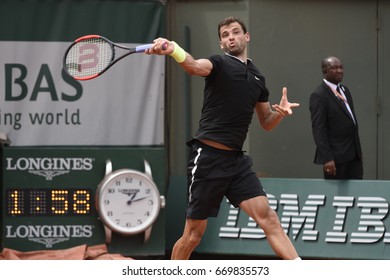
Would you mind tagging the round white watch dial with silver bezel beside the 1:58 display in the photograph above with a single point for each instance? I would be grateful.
(128, 201)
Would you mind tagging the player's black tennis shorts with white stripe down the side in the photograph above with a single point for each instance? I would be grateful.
(214, 173)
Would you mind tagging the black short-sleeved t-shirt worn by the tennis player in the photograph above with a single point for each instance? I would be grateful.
(231, 92)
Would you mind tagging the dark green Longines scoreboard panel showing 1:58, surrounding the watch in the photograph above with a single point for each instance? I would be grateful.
(48, 197)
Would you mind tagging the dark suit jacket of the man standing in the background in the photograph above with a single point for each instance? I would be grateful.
(335, 134)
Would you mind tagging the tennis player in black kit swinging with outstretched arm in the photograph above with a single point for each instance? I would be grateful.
(218, 167)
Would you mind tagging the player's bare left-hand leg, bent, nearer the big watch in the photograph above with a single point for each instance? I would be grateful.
(192, 235)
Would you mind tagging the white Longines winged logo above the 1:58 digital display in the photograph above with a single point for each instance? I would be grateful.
(48, 167)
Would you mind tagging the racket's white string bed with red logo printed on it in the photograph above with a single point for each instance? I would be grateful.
(89, 57)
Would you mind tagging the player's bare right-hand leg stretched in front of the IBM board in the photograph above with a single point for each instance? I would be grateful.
(258, 208)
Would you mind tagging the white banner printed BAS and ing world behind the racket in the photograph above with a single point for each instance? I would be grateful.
(42, 106)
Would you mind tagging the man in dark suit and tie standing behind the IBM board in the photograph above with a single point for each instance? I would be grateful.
(335, 126)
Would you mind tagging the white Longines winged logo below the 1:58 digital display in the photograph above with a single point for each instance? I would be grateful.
(49, 234)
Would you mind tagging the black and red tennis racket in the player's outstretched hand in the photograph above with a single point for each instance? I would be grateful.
(90, 56)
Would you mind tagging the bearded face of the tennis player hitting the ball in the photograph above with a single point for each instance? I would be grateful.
(233, 39)
